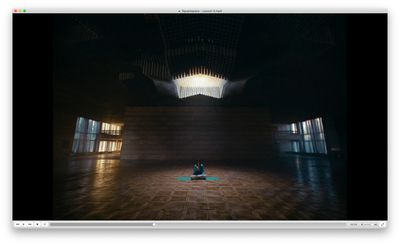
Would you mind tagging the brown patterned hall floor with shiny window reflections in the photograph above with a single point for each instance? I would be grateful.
(292, 187)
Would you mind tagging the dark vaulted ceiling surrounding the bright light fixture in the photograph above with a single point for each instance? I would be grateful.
(295, 64)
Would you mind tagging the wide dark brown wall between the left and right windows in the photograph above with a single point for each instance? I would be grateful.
(191, 133)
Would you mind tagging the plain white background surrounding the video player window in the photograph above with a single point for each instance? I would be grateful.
(390, 235)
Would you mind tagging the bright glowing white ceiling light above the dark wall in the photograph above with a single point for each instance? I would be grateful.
(200, 84)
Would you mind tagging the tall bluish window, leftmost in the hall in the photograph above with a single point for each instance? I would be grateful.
(86, 135)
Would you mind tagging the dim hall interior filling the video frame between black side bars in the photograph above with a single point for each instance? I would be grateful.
(259, 99)
